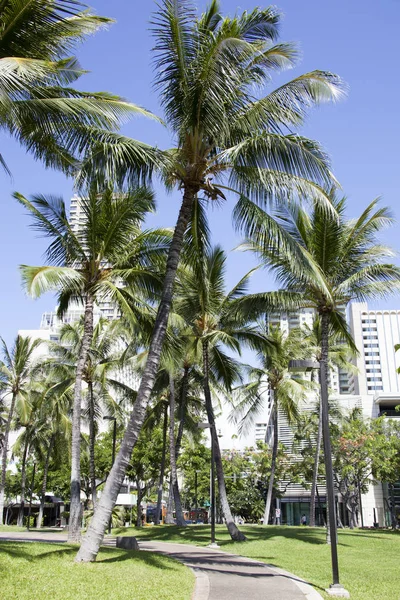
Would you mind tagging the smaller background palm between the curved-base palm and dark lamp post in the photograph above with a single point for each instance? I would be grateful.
(275, 349)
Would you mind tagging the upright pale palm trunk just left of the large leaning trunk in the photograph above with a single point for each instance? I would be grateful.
(74, 532)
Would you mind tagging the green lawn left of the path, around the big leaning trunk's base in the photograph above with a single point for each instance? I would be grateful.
(32, 571)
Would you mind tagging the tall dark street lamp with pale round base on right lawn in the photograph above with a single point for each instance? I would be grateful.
(335, 589)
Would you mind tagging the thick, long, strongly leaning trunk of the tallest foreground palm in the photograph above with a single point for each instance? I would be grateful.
(95, 534)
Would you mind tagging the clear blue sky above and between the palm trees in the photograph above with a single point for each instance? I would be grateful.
(357, 39)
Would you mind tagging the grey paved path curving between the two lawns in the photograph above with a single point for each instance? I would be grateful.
(219, 575)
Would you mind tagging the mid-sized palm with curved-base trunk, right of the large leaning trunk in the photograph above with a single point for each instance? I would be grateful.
(202, 301)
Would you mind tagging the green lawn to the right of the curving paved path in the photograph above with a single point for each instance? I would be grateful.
(368, 559)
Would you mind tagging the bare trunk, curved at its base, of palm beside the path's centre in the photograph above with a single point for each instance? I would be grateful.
(234, 532)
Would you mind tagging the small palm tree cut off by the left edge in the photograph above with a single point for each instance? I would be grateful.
(15, 376)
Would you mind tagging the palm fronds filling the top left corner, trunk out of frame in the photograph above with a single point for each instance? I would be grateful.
(53, 121)
